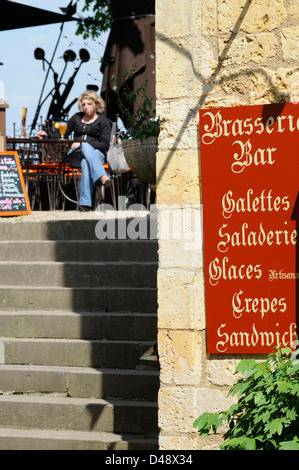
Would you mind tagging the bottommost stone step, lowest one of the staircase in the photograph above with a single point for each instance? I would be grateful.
(36, 439)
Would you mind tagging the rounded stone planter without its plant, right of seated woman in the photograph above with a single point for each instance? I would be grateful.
(141, 158)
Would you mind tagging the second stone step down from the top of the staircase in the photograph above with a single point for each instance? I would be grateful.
(79, 250)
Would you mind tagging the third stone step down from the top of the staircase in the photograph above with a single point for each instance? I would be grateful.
(78, 274)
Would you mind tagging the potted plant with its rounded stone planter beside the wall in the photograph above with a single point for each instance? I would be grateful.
(140, 141)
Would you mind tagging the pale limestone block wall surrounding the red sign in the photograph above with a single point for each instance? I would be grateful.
(209, 53)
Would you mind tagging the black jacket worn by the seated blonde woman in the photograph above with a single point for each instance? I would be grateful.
(97, 133)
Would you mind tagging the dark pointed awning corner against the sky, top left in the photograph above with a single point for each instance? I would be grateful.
(13, 15)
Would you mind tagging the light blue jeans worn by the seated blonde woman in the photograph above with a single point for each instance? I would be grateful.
(91, 161)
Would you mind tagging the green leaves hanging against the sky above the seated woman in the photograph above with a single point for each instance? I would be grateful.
(98, 22)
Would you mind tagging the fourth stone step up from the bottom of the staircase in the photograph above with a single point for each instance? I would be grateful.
(73, 352)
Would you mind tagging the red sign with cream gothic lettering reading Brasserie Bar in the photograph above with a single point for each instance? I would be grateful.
(250, 182)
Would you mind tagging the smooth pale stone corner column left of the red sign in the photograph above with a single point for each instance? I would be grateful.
(181, 317)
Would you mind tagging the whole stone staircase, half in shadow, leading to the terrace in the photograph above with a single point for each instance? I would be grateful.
(77, 326)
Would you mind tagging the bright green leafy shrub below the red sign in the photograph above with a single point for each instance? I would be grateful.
(266, 414)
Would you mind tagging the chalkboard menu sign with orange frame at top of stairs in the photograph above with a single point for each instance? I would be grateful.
(13, 194)
